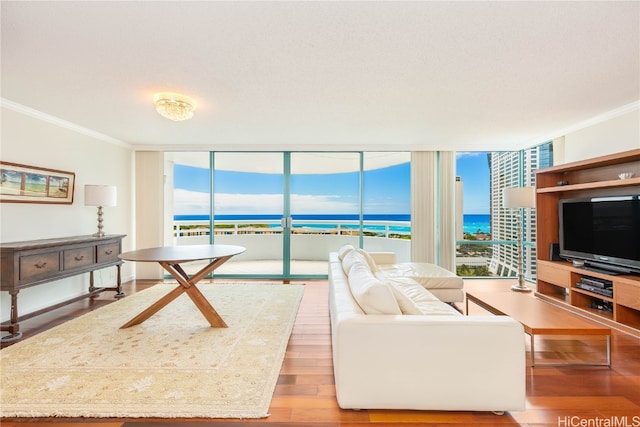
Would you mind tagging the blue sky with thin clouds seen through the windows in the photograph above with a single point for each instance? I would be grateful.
(386, 190)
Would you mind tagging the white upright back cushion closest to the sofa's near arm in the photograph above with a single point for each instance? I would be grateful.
(372, 295)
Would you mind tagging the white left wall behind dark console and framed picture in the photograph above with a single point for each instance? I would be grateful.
(32, 141)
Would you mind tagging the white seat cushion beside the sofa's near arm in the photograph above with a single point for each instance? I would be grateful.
(413, 298)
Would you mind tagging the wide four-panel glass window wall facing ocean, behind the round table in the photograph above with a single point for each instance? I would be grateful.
(291, 209)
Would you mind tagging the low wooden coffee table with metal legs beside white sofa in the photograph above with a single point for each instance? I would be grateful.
(539, 318)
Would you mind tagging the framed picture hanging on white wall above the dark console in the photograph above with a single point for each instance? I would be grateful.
(30, 184)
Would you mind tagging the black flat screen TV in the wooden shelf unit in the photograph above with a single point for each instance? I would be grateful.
(604, 232)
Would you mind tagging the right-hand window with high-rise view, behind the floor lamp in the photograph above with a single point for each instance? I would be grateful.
(489, 233)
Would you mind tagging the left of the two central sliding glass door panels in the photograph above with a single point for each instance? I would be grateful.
(248, 207)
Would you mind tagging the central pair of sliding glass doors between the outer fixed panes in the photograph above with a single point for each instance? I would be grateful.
(288, 209)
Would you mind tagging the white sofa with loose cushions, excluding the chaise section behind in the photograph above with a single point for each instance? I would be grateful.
(442, 360)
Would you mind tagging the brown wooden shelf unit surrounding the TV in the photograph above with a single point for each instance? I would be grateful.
(556, 280)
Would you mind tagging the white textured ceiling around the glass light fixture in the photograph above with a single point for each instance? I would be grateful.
(324, 75)
